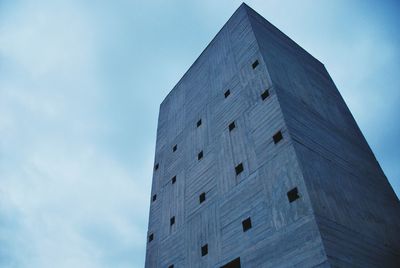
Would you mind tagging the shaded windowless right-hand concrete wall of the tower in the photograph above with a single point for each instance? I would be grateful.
(357, 211)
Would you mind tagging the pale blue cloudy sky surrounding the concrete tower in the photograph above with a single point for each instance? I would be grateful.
(80, 87)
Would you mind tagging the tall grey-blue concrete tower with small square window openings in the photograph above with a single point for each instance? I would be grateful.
(259, 163)
